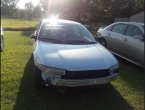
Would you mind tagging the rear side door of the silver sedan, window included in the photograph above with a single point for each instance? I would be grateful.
(116, 38)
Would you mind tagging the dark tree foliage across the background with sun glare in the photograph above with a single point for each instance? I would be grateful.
(94, 11)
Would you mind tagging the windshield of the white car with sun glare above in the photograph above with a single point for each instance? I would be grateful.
(66, 33)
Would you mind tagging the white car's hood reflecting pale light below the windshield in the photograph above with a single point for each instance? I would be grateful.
(76, 57)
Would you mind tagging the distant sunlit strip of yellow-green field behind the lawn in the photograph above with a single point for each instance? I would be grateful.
(18, 23)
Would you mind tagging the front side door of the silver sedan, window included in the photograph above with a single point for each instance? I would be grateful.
(134, 44)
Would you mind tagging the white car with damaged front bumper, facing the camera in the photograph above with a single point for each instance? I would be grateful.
(66, 54)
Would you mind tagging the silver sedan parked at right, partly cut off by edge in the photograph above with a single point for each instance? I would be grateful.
(125, 39)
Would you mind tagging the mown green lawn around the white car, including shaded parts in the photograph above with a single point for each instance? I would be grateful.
(18, 91)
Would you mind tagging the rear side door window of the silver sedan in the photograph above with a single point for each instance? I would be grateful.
(119, 28)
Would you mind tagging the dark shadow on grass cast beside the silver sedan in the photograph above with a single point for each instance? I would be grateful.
(132, 74)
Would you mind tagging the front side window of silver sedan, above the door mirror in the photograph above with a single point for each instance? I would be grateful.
(133, 31)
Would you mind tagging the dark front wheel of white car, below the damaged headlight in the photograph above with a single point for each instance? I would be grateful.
(39, 82)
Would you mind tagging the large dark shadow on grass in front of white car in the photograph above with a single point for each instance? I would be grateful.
(98, 98)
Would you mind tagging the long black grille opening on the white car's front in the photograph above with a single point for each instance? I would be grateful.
(86, 74)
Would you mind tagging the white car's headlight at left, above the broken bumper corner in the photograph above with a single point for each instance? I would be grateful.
(51, 70)
